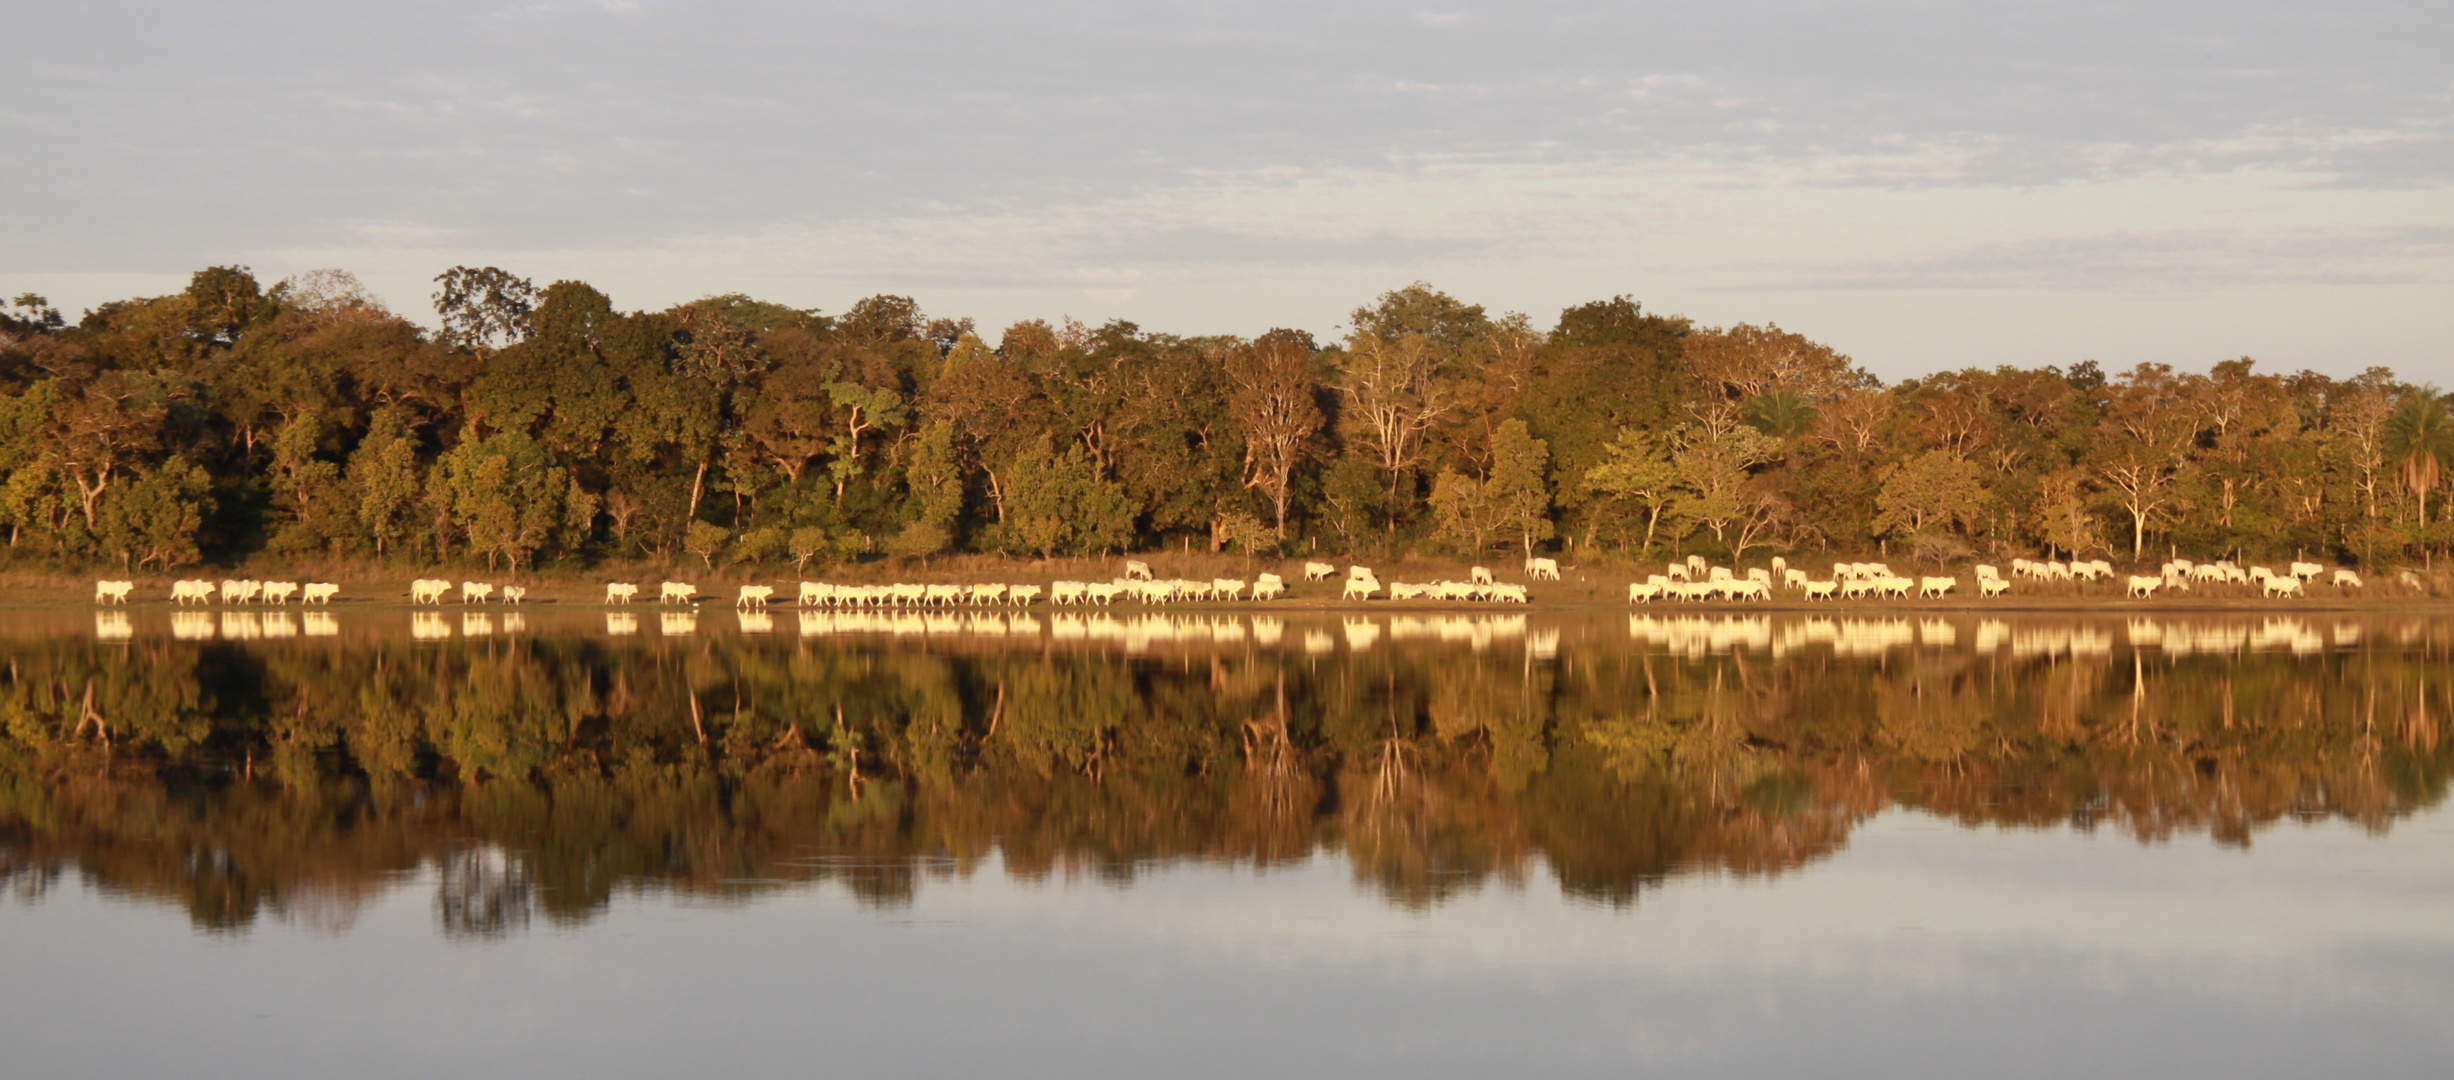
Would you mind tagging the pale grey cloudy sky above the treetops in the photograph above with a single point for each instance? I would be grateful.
(1920, 185)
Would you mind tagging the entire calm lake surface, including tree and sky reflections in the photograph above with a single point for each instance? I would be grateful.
(1226, 846)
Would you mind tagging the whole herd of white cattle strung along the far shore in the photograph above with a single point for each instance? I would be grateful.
(1690, 580)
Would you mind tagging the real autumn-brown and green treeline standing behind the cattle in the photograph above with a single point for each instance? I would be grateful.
(551, 428)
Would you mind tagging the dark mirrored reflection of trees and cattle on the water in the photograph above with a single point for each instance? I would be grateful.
(539, 774)
